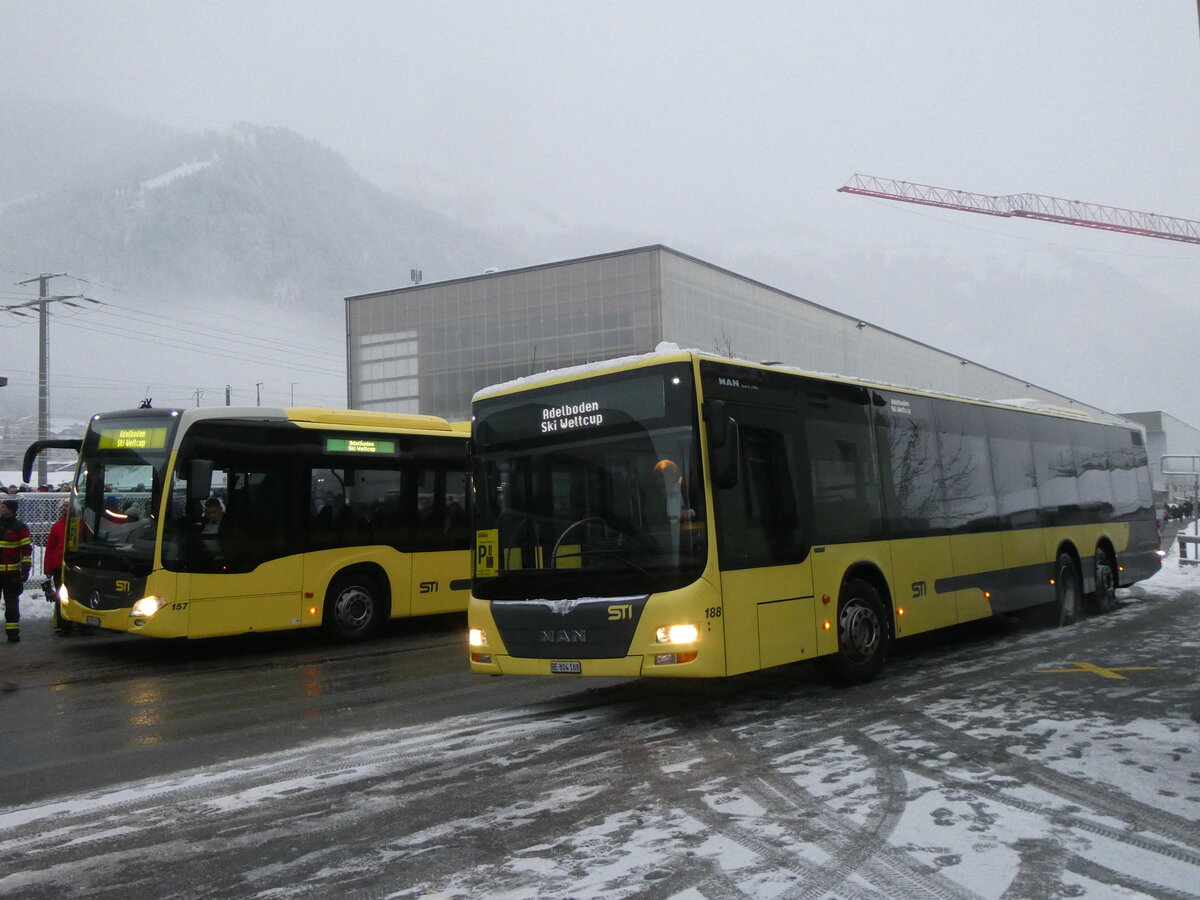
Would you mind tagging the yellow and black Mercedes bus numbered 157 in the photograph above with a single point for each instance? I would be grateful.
(224, 520)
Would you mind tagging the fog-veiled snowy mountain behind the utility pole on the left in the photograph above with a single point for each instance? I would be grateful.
(254, 213)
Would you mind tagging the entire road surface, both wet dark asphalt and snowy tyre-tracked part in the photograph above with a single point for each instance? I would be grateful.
(1003, 759)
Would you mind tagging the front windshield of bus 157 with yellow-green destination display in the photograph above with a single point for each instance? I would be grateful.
(116, 494)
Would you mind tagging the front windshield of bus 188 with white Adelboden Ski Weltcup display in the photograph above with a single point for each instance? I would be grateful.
(592, 489)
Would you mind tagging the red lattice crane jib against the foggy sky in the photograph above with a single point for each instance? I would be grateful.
(1030, 206)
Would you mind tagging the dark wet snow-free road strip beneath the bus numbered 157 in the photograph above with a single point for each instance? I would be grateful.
(82, 712)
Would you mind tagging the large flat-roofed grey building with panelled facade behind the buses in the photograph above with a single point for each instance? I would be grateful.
(430, 347)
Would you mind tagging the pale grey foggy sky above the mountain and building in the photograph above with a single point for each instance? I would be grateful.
(724, 130)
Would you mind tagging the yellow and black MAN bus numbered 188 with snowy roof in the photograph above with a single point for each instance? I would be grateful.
(686, 515)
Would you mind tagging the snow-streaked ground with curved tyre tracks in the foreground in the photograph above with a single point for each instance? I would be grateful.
(940, 781)
